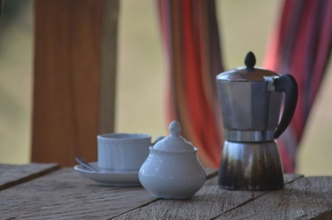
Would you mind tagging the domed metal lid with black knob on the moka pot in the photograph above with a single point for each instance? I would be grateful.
(248, 73)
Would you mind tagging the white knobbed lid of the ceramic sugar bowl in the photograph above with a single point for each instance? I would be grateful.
(174, 142)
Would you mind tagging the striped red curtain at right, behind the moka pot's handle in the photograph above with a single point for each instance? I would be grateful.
(301, 46)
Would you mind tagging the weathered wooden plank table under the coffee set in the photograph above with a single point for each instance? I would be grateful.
(46, 191)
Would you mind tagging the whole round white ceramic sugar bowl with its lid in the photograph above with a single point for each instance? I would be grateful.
(172, 169)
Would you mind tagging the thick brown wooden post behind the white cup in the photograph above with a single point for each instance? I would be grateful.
(74, 78)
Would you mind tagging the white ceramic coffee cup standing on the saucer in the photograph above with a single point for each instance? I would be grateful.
(122, 152)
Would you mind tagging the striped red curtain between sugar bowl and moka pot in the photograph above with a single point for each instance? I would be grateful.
(190, 38)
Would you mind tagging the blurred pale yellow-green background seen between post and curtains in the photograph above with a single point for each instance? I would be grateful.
(244, 26)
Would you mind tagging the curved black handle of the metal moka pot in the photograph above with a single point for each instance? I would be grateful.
(286, 83)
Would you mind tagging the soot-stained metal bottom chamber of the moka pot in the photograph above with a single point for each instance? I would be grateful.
(251, 166)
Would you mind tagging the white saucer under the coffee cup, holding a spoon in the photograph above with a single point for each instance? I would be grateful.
(109, 178)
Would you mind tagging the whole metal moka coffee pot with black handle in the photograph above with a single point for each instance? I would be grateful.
(250, 100)
